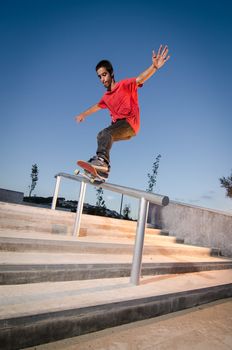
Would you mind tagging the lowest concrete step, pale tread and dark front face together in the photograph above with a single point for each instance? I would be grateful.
(39, 313)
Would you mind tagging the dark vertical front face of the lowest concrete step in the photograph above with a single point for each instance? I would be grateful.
(25, 331)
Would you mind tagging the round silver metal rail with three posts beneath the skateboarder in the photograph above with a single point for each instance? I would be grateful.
(144, 197)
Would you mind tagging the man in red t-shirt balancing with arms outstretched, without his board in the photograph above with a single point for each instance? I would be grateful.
(121, 99)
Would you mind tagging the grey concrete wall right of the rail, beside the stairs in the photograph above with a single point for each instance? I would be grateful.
(197, 226)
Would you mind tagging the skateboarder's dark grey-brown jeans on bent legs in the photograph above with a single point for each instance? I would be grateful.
(119, 131)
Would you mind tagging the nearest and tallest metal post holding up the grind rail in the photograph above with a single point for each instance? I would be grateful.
(138, 248)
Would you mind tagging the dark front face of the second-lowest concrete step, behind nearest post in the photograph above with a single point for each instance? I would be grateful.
(22, 274)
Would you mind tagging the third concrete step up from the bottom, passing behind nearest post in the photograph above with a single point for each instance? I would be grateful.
(91, 245)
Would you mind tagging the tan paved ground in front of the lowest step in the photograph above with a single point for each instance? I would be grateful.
(207, 327)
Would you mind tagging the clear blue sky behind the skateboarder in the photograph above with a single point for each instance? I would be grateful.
(49, 50)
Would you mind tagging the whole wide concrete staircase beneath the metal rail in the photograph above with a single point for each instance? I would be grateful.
(55, 286)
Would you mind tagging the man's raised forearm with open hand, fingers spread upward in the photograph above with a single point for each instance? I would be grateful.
(158, 60)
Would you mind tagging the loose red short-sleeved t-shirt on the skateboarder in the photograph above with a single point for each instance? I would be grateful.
(122, 102)
